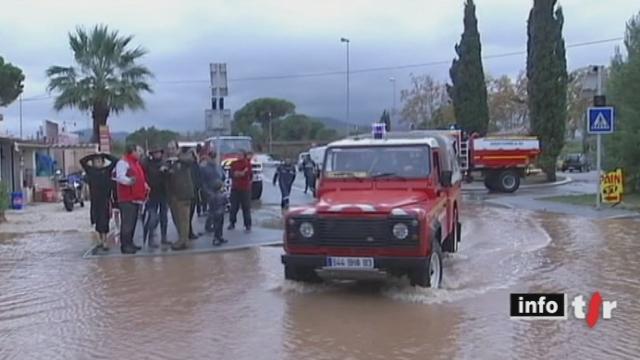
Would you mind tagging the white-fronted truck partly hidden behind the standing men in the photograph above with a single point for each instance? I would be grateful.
(228, 149)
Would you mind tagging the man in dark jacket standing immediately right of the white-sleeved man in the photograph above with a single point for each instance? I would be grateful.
(156, 210)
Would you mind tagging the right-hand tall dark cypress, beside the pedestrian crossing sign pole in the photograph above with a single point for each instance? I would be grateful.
(547, 87)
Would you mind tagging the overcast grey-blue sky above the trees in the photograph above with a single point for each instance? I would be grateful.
(262, 38)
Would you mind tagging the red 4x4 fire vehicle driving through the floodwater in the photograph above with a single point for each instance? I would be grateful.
(385, 207)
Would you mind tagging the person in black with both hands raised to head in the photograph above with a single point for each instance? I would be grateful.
(101, 187)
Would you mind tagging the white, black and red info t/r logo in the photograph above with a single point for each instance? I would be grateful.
(554, 306)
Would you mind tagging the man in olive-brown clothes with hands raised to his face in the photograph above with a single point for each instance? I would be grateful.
(180, 191)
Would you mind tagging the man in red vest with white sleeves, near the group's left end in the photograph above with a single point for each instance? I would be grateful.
(132, 191)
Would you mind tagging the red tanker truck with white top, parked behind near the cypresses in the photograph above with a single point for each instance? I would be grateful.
(503, 160)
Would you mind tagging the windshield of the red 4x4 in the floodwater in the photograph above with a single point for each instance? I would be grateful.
(378, 162)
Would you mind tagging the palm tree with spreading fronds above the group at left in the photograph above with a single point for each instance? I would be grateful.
(107, 78)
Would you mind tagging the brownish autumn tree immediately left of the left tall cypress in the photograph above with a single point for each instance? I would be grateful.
(426, 104)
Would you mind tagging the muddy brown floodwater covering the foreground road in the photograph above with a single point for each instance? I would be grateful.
(55, 305)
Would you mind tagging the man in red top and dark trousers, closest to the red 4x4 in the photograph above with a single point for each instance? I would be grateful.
(241, 177)
